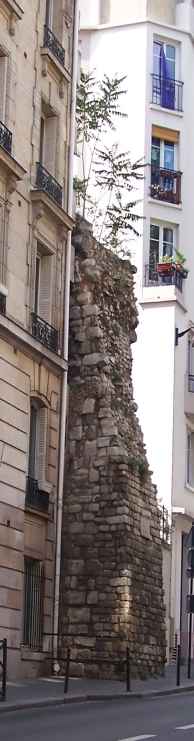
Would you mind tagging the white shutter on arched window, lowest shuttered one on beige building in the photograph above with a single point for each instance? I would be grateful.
(41, 445)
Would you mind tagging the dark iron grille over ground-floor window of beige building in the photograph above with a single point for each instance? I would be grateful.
(33, 603)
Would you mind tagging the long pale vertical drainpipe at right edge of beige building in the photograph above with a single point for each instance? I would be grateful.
(66, 330)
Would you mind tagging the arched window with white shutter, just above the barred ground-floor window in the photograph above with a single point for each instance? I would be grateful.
(37, 442)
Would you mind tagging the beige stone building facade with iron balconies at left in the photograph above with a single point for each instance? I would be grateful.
(37, 46)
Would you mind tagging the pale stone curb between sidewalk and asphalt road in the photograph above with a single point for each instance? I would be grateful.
(73, 699)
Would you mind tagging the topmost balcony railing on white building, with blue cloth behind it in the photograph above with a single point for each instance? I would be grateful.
(167, 93)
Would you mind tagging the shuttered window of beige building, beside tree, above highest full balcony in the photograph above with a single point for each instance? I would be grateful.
(48, 139)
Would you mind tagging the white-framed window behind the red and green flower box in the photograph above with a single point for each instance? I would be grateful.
(162, 243)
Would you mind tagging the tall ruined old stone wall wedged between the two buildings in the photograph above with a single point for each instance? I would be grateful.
(111, 572)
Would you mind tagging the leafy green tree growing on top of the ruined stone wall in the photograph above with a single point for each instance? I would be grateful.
(105, 191)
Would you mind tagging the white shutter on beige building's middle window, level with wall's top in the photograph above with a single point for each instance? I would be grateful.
(45, 290)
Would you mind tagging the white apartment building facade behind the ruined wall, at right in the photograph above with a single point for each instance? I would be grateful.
(151, 42)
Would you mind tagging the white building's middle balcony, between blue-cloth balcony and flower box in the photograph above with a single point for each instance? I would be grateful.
(165, 185)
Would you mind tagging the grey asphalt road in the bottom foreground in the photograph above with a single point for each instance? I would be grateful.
(162, 718)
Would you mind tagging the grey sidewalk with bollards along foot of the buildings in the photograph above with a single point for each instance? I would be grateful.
(50, 691)
